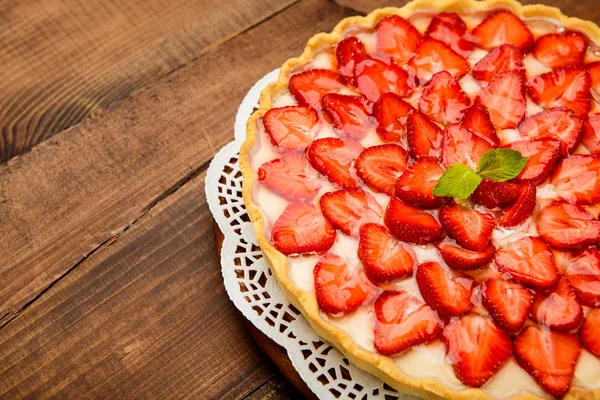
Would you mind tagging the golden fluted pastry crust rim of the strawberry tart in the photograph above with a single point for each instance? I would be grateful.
(306, 302)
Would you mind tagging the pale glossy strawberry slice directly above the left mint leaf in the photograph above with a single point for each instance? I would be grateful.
(462, 146)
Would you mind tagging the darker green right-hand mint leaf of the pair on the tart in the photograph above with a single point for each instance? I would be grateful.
(501, 164)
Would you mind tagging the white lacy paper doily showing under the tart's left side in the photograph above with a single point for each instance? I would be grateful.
(256, 293)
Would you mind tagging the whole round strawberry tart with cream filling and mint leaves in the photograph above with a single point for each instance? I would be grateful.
(424, 183)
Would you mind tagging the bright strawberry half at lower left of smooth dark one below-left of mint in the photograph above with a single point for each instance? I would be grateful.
(384, 258)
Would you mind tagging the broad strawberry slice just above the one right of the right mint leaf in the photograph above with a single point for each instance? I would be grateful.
(557, 123)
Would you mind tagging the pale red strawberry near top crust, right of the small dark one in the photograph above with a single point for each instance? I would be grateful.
(397, 38)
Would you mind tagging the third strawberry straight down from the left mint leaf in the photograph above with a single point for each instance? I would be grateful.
(446, 291)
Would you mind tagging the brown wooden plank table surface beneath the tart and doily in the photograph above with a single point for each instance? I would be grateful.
(110, 113)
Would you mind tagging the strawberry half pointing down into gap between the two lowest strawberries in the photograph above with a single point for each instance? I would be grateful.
(507, 302)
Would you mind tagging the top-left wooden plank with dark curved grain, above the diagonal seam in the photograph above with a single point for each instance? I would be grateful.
(62, 61)
